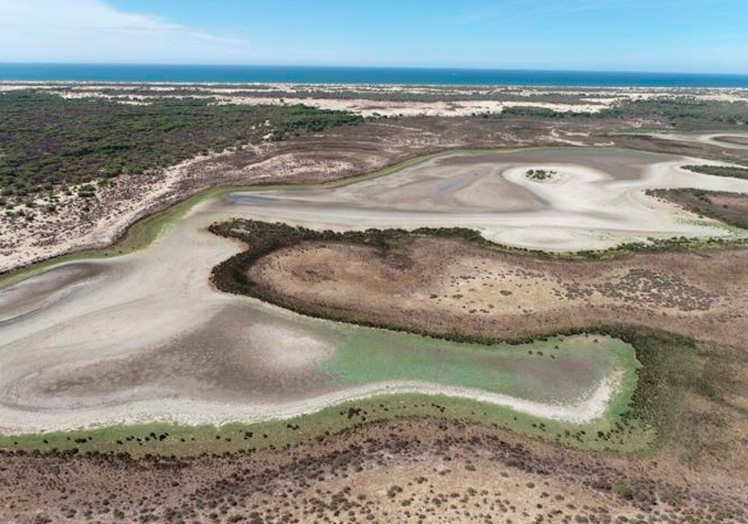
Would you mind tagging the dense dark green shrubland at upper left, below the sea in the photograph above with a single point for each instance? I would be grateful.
(48, 142)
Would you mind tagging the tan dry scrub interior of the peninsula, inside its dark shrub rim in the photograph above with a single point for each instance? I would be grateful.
(434, 285)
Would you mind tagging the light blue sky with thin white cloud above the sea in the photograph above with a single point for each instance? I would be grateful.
(707, 36)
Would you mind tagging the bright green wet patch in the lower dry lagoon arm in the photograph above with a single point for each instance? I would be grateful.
(555, 370)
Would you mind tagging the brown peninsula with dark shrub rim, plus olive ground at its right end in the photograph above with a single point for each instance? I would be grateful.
(441, 284)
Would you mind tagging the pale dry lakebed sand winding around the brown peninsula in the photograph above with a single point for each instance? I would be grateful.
(159, 299)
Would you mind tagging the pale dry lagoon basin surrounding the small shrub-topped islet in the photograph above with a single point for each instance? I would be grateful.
(596, 200)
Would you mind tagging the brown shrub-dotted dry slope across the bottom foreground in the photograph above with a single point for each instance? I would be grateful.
(404, 471)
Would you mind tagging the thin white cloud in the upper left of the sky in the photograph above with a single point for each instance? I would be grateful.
(92, 30)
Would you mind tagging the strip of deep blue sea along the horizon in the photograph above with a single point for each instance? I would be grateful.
(356, 75)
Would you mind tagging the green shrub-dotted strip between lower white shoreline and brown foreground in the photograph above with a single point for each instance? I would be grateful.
(612, 434)
